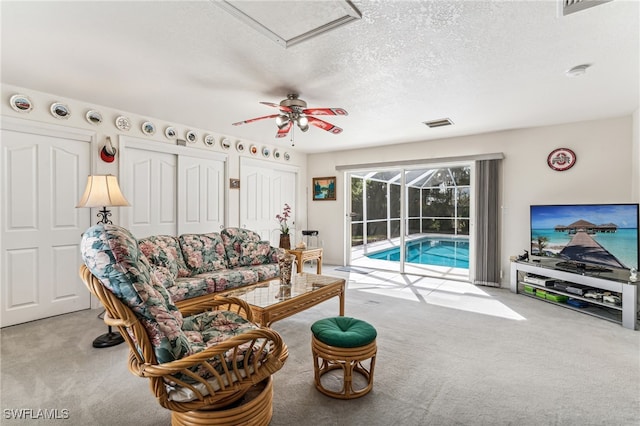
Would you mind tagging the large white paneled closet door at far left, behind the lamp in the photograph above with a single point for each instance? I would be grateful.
(44, 172)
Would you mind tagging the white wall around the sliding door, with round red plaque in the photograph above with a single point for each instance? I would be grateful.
(602, 174)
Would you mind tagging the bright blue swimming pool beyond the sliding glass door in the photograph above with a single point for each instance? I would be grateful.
(430, 251)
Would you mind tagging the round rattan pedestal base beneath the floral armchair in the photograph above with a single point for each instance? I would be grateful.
(255, 409)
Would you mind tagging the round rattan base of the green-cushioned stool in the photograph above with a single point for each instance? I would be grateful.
(327, 358)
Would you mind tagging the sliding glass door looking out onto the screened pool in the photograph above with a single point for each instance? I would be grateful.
(413, 220)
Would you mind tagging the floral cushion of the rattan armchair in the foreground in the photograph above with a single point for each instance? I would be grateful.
(112, 255)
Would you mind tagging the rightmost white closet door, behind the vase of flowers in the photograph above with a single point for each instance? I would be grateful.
(265, 188)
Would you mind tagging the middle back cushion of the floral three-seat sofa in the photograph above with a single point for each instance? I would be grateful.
(203, 252)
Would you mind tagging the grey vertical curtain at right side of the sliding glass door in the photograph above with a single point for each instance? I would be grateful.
(487, 254)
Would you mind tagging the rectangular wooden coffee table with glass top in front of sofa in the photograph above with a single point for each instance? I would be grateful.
(271, 301)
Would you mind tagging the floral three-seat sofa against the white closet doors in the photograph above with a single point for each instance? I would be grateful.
(197, 265)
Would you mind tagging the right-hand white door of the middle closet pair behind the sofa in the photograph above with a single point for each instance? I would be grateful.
(200, 195)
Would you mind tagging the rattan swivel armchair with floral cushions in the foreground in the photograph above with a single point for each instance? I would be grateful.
(196, 381)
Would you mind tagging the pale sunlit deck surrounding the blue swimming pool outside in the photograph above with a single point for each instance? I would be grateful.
(359, 259)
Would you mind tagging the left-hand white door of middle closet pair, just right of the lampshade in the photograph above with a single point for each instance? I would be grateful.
(150, 185)
